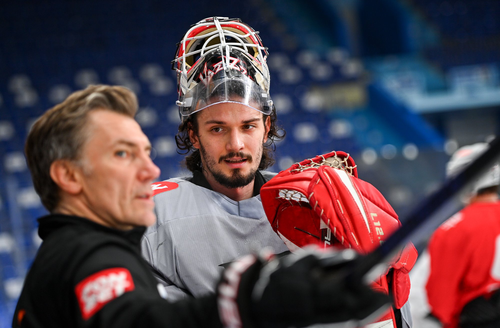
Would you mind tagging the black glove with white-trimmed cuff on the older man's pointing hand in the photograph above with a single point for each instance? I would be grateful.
(301, 289)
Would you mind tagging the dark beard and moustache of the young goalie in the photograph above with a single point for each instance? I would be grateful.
(236, 179)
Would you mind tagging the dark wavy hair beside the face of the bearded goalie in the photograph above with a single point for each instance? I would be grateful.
(193, 160)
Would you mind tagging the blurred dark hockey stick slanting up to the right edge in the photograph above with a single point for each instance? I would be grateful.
(426, 217)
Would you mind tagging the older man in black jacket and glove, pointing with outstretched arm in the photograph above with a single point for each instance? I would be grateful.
(90, 165)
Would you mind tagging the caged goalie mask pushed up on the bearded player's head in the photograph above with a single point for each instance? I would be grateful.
(221, 60)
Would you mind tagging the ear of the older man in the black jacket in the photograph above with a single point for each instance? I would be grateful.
(66, 175)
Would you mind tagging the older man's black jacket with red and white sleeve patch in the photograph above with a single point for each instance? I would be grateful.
(89, 275)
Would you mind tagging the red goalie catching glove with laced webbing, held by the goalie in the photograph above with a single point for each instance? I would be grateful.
(321, 201)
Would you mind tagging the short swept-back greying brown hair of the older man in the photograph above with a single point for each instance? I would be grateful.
(60, 133)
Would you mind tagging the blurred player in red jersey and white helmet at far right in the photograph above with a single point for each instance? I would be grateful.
(464, 272)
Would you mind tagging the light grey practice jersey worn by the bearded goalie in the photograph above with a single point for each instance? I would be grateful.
(198, 231)
